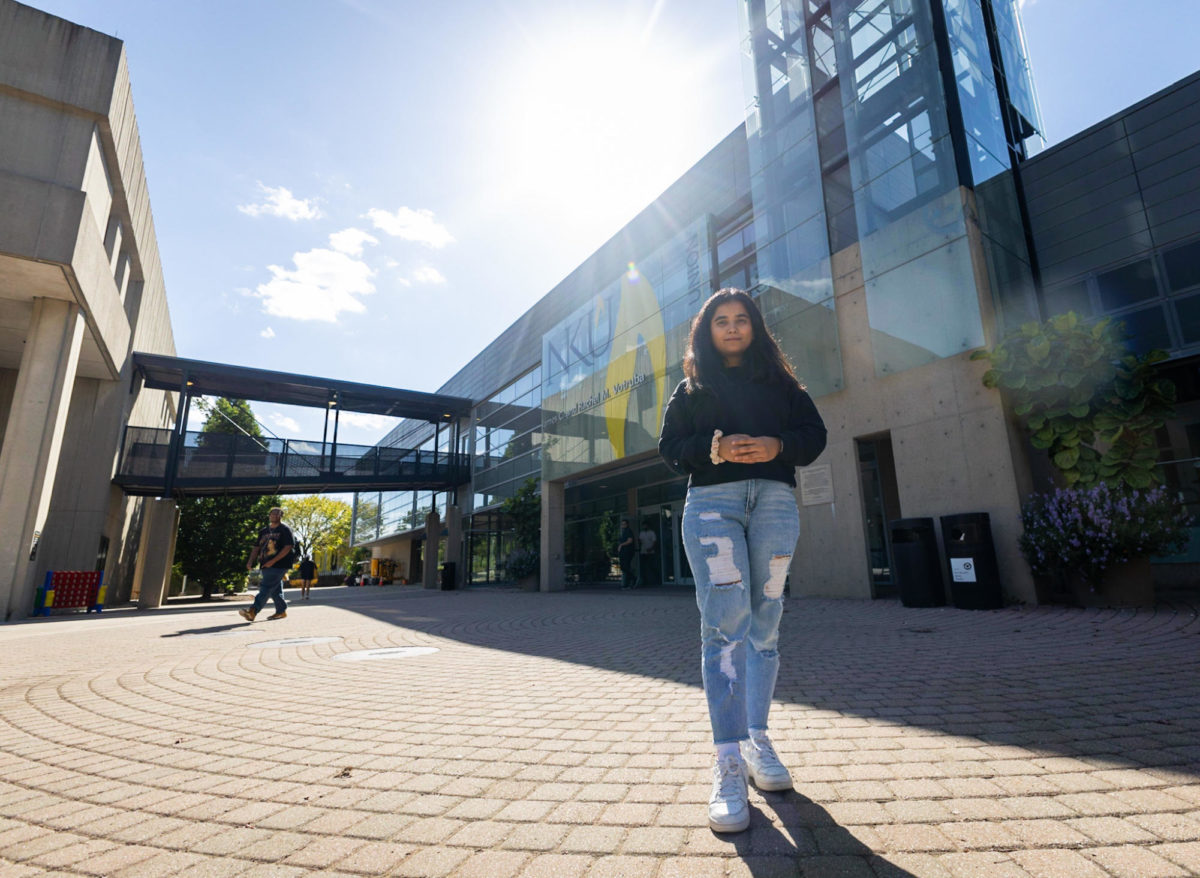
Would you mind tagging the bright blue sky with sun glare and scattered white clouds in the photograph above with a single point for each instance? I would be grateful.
(373, 190)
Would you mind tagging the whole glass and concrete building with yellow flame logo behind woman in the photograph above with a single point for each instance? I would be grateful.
(887, 205)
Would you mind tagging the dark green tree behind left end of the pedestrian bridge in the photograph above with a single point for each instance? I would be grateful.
(218, 533)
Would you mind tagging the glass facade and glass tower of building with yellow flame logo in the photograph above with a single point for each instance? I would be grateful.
(878, 130)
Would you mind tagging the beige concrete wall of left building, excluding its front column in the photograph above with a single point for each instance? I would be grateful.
(74, 187)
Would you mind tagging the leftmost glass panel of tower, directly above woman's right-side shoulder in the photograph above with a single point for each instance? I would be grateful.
(790, 232)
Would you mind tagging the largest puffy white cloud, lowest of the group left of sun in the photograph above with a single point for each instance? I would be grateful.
(323, 285)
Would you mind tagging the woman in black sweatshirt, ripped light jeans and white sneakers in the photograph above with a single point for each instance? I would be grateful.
(739, 426)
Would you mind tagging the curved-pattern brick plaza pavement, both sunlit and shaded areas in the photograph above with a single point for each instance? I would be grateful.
(566, 736)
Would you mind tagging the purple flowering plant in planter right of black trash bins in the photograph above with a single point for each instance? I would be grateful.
(1093, 530)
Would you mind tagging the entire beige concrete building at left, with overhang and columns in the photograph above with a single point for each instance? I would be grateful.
(81, 288)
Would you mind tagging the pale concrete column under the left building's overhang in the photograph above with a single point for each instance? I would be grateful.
(33, 441)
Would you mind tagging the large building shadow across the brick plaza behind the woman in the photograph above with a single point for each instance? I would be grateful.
(1119, 685)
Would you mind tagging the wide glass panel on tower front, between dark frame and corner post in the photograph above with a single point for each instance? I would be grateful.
(922, 299)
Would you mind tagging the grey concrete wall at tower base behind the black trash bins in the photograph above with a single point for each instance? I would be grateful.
(955, 448)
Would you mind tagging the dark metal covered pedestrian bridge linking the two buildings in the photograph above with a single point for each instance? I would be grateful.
(177, 462)
